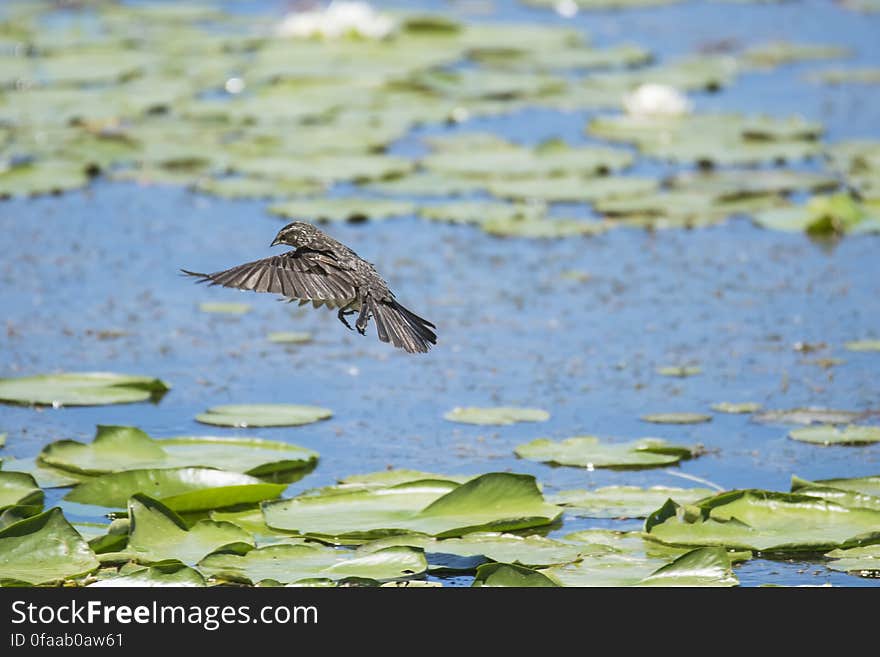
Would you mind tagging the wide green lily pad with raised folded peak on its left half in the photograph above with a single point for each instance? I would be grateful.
(116, 449)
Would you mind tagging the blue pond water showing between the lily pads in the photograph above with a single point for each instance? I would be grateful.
(513, 329)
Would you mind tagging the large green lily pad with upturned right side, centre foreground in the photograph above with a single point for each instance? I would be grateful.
(492, 502)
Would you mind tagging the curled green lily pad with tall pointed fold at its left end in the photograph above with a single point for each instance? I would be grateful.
(158, 534)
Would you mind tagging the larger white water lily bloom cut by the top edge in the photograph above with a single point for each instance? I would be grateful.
(339, 19)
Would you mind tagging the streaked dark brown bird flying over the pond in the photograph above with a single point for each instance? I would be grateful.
(324, 271)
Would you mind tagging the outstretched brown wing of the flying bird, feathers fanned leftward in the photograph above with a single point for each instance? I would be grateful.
(301, 274)
